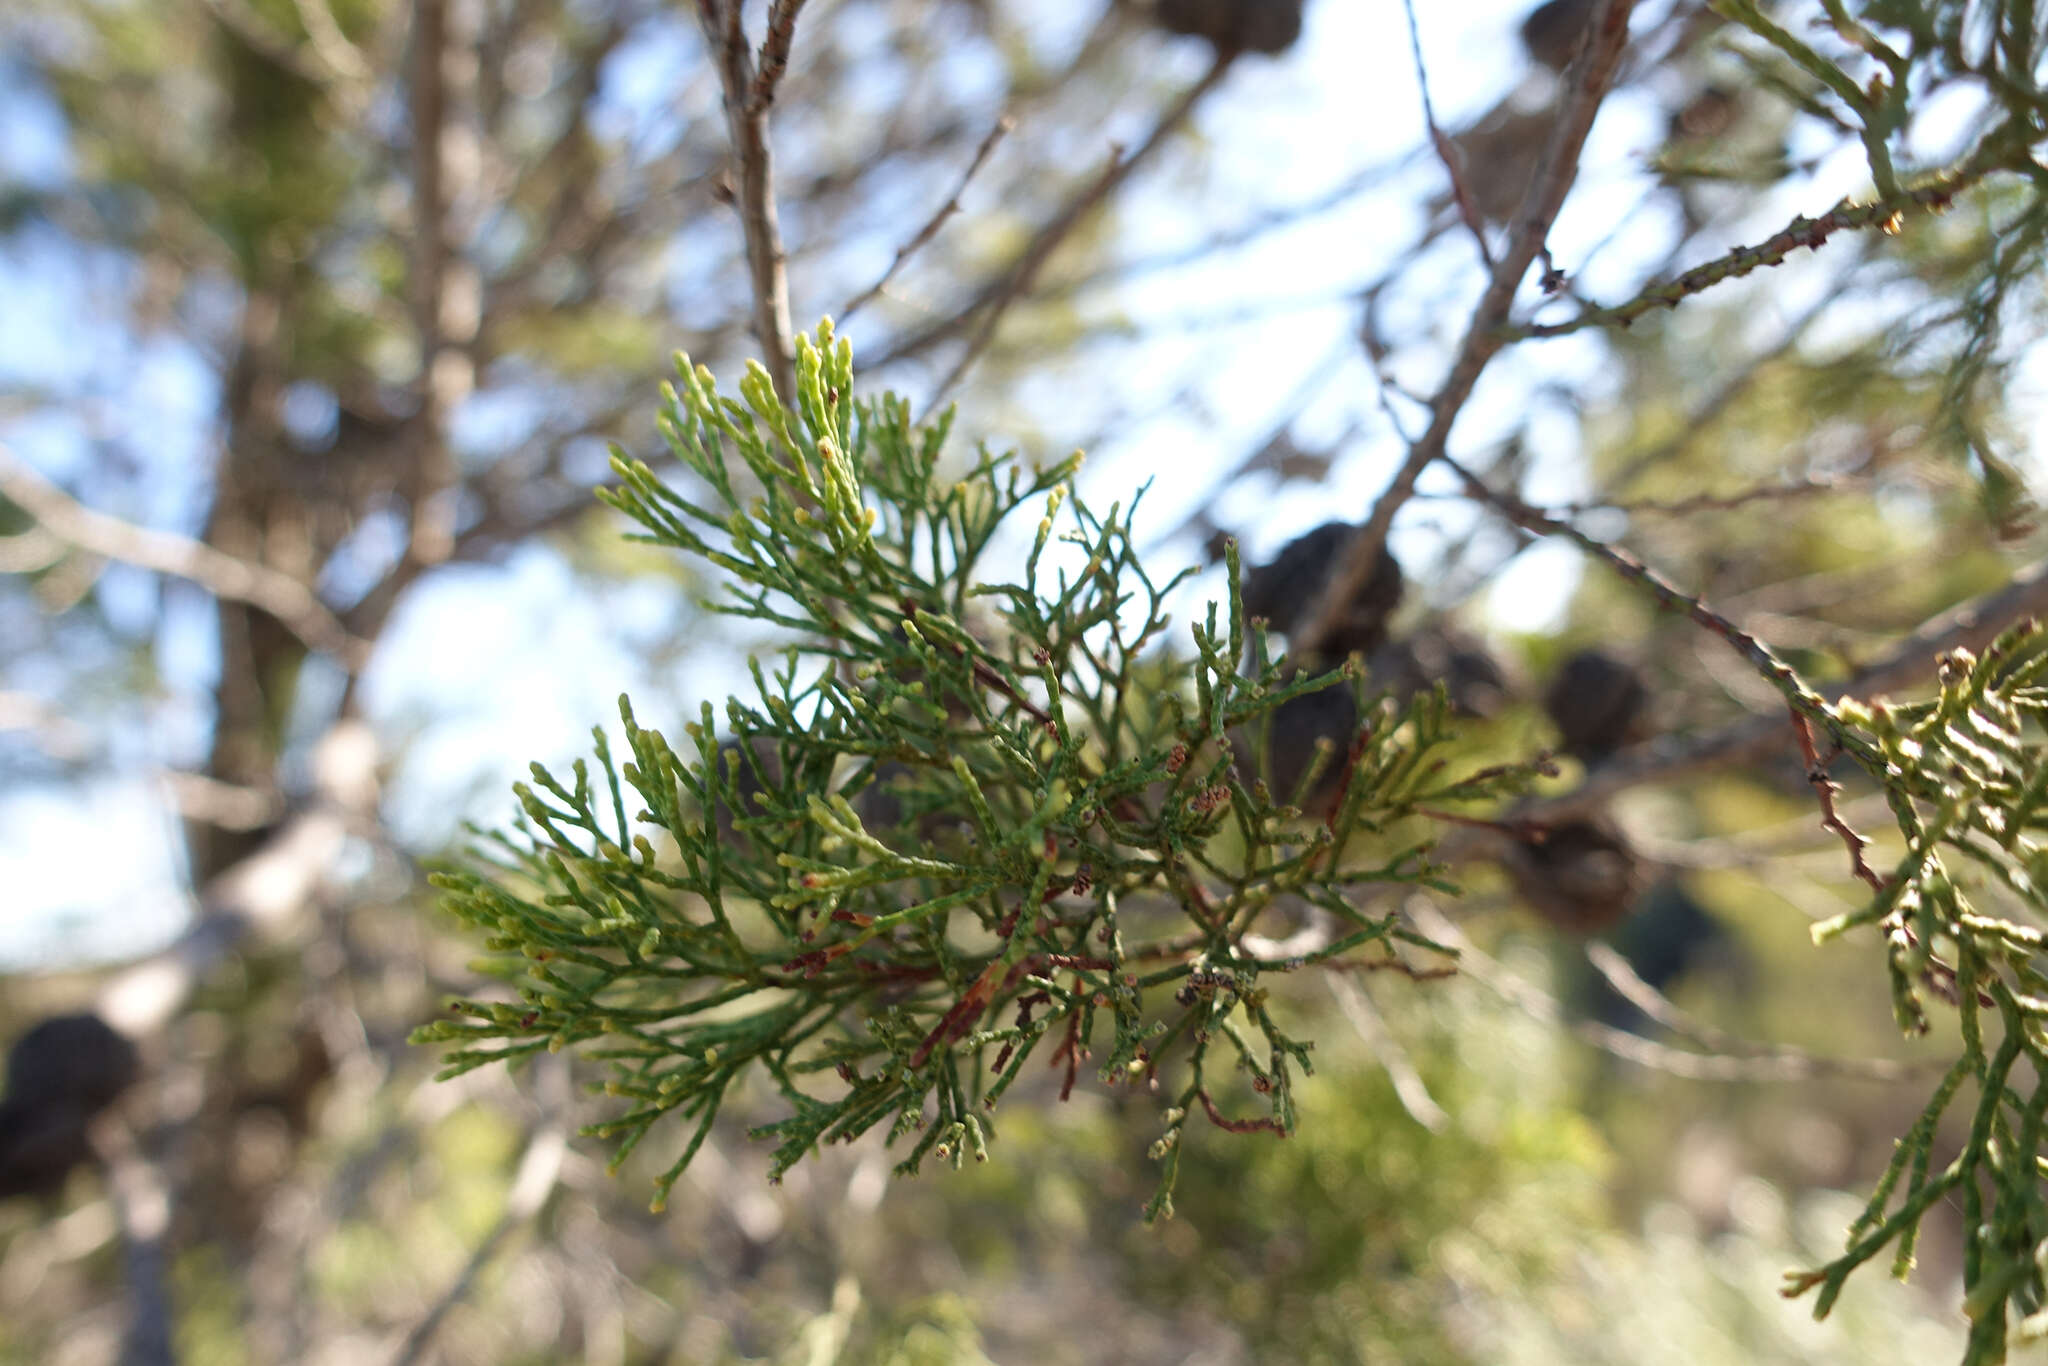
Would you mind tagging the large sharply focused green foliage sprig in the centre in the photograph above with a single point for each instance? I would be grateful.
(962, 826)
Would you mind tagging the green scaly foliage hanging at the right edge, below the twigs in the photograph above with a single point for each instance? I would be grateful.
(1967, 779)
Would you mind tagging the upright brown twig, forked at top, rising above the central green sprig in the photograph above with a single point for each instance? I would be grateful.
(749, 95)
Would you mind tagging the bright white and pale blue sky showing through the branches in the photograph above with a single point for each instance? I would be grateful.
(1347, 97)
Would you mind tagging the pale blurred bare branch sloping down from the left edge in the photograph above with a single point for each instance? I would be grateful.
(163, 552)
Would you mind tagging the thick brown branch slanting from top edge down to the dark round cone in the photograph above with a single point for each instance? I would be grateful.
(1588, 83)
